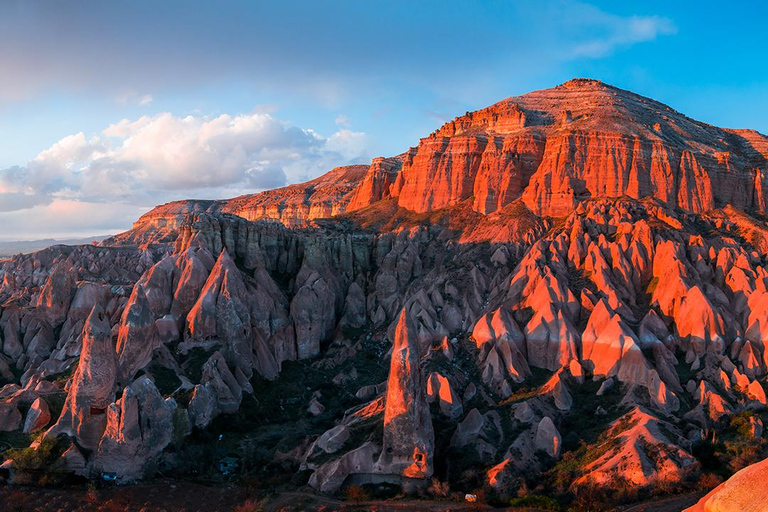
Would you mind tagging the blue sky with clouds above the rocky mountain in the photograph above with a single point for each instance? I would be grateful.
(109, 108)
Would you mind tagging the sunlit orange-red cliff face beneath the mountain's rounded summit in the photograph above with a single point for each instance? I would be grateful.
(580, 140)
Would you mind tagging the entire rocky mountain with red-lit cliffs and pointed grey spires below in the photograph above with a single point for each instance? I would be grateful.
(563, 293)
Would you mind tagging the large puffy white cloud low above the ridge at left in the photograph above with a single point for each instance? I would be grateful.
(153, 159)
